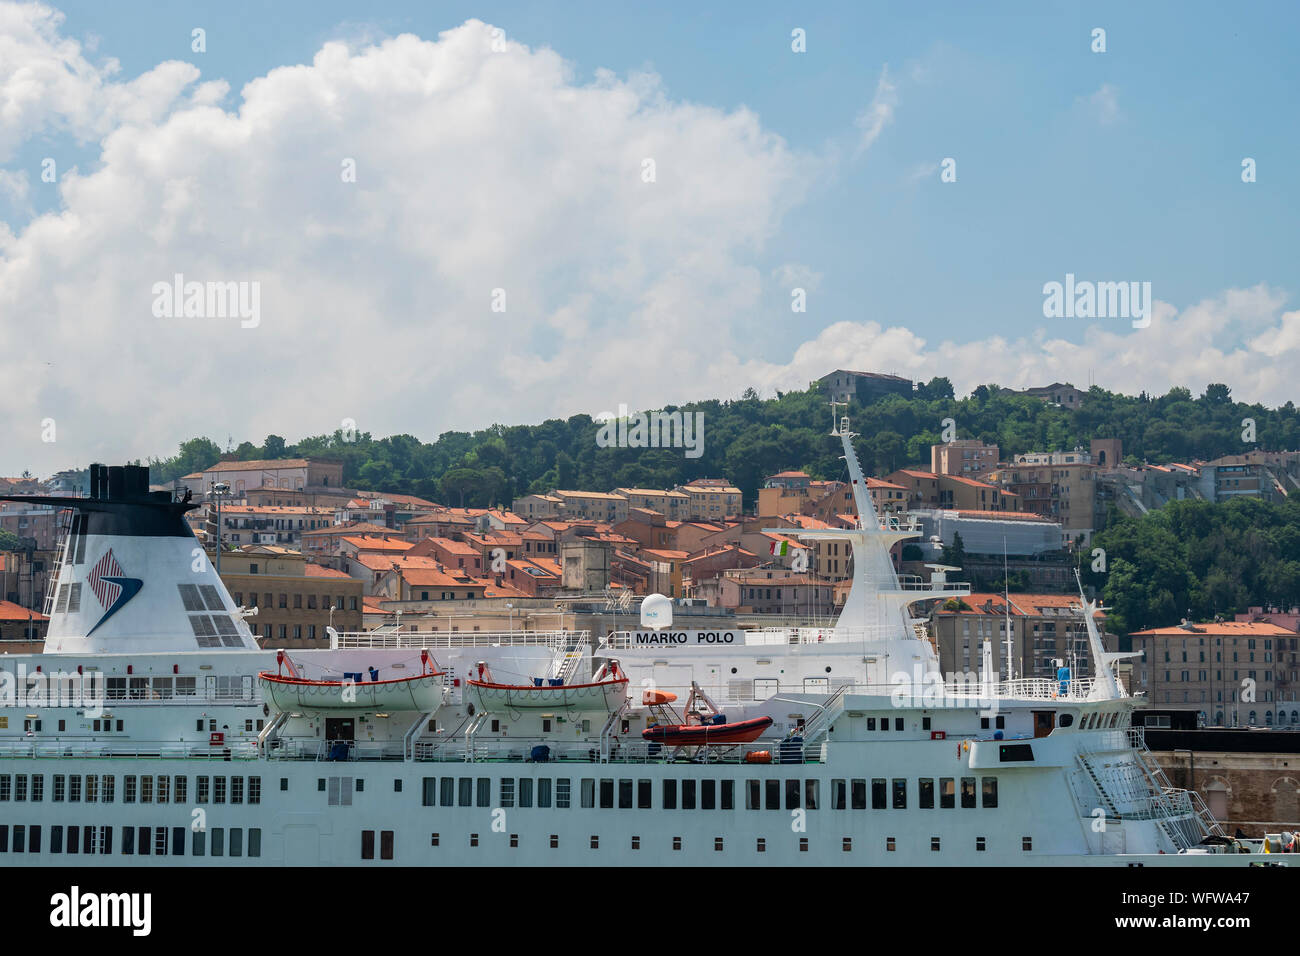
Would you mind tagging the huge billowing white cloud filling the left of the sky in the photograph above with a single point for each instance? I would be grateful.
(475, 171)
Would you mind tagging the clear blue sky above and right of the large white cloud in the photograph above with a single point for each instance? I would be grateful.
(1045, 185)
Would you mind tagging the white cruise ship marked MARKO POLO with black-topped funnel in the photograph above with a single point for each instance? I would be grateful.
(155, 730)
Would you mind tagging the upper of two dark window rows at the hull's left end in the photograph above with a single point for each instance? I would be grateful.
(92, 789)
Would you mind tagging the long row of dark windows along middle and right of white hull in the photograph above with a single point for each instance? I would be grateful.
(627, 794)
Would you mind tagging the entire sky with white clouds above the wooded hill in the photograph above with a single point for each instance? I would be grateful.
(444, 217)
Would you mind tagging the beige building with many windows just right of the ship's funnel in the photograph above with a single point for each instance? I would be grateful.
(296, 600)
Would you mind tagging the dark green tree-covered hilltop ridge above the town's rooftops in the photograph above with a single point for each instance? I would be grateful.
(748, 439)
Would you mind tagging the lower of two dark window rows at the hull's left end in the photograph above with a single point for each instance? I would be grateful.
(136, 841)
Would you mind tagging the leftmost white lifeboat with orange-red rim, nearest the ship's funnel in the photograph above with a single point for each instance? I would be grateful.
(296, 694)
